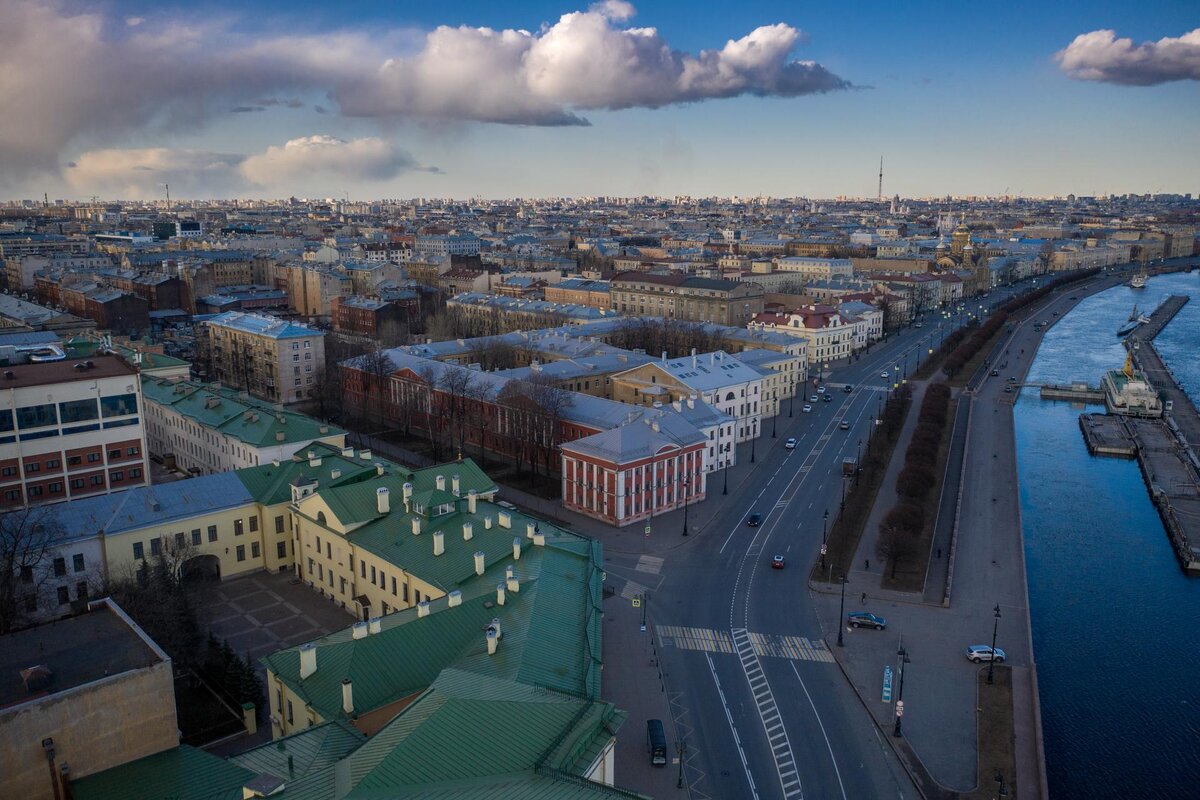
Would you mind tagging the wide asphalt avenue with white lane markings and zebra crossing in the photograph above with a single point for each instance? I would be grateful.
(765, 709)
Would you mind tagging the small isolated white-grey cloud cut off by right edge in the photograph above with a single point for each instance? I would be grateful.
(1102, 57)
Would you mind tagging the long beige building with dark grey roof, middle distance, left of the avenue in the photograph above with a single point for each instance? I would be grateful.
(686, 298)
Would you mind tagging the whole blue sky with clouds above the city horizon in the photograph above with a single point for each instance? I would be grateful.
(403, 99)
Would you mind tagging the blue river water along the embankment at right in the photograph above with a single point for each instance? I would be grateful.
(1117, 624)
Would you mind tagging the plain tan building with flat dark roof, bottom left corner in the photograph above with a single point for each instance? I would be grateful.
(81, 696)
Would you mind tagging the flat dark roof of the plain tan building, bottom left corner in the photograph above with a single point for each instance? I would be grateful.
(77, 651)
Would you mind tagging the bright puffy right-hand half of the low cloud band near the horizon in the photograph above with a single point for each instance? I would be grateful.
(359, 160)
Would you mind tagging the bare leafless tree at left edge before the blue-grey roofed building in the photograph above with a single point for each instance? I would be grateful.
(28, 539)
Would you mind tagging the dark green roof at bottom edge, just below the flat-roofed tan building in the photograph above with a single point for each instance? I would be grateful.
(181, 774)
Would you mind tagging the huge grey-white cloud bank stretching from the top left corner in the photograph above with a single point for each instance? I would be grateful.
(80, 77)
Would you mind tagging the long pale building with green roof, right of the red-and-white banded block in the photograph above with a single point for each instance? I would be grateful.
(203, 430)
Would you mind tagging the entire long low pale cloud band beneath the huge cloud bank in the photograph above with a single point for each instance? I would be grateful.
(142, 173)
